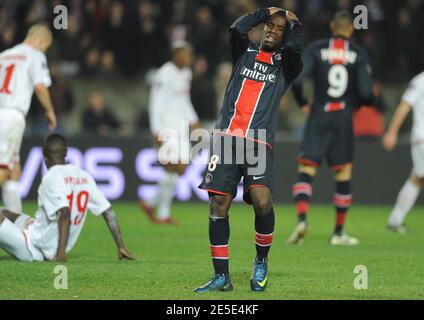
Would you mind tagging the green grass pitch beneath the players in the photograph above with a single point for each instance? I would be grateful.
(174, 260)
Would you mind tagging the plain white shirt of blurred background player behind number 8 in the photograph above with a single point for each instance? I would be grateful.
(170, 102)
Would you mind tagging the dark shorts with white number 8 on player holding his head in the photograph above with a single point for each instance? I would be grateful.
(230, 159)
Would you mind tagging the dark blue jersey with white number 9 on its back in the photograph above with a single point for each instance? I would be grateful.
(341, 76)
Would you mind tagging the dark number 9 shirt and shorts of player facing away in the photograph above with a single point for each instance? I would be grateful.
(342, 81)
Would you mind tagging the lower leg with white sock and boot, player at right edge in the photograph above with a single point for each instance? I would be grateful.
(404, 203)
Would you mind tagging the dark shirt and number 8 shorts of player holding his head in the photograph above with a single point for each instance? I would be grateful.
(249, 114)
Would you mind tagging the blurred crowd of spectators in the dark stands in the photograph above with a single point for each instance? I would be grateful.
(125, 40)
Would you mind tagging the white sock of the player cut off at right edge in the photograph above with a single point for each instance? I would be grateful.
(405, 201)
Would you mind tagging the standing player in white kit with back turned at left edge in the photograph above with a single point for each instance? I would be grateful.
(23, 70)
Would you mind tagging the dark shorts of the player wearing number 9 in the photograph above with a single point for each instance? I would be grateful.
(328, 135)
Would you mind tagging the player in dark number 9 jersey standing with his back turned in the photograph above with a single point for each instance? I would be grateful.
(342, 82)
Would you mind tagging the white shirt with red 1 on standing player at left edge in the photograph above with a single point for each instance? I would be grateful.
(21, 68)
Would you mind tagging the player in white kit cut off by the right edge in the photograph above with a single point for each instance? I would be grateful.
(413, 99)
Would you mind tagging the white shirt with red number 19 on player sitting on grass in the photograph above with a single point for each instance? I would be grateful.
(63, 186)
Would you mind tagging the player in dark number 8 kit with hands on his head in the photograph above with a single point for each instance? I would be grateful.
(260, 77)
